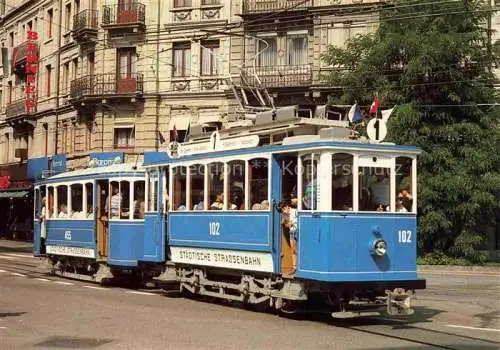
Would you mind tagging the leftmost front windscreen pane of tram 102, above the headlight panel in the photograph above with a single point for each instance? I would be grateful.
(342, 179)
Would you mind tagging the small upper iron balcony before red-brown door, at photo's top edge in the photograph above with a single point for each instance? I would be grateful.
(125, 17)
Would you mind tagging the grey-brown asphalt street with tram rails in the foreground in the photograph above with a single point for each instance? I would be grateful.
(44, 312)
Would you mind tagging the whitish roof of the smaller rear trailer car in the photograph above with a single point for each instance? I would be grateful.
(107, 172)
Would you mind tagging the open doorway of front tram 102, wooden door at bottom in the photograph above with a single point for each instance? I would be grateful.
(288, 193)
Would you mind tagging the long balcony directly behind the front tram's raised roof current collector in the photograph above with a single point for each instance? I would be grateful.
(279, 76)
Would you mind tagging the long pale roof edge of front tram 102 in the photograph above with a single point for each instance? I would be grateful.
(159, 158)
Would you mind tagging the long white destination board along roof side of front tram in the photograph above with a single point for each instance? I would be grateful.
(176, 150)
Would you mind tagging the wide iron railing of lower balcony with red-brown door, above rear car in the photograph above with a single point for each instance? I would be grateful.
(106, 85)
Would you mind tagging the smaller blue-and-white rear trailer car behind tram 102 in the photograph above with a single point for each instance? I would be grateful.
(93, 222)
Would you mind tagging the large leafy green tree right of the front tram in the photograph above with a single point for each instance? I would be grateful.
(434, 61)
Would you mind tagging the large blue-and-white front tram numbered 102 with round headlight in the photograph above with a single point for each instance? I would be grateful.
(223, 235)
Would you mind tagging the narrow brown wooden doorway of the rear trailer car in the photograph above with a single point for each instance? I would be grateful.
(102, 211)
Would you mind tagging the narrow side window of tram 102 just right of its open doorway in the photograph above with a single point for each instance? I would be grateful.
(310, 164)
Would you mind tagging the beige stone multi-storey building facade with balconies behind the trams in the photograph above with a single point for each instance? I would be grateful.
(121, 75)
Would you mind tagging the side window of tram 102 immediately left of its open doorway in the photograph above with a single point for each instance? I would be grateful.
(259, 189)
